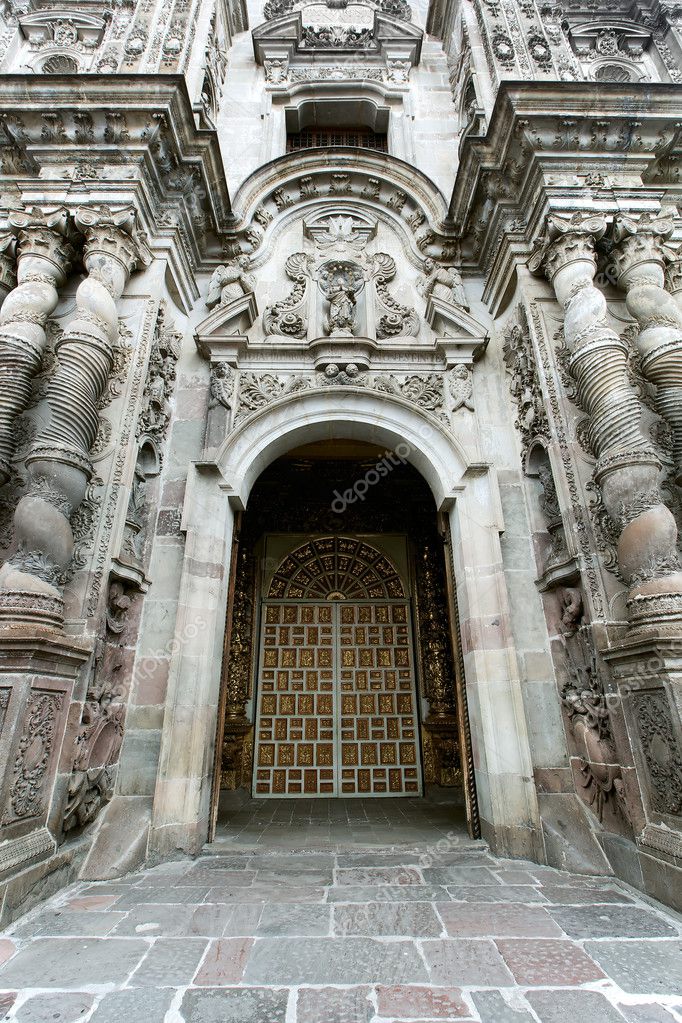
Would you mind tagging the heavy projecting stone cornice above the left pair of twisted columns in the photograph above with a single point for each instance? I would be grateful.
(128, 139)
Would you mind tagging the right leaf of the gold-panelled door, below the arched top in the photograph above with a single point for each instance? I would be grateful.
(378, 702)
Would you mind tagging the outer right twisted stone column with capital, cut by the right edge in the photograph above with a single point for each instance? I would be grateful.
(641, 256)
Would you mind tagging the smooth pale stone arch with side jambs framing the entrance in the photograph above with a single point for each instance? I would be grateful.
(467, 495)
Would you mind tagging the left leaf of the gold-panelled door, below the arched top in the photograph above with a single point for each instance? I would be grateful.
(295, 739)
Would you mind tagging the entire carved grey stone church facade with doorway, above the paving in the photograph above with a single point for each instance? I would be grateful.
(341, 424)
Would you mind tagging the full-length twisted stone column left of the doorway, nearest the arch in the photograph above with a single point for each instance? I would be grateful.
(59, 463)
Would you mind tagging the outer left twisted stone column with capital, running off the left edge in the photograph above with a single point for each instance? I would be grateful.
(44, 259)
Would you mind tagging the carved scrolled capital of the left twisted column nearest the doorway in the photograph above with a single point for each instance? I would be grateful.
(112, 239)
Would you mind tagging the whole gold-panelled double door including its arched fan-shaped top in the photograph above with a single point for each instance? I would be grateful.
(337, 710)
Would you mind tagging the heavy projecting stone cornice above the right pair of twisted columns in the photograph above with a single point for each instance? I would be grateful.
(608, 143)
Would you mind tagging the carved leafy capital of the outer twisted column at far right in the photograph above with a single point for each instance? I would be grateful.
(641, 248)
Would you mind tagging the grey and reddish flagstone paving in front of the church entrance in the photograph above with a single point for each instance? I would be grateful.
(255, 935)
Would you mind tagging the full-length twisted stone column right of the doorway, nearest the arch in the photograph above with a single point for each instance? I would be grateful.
(628, 470)
